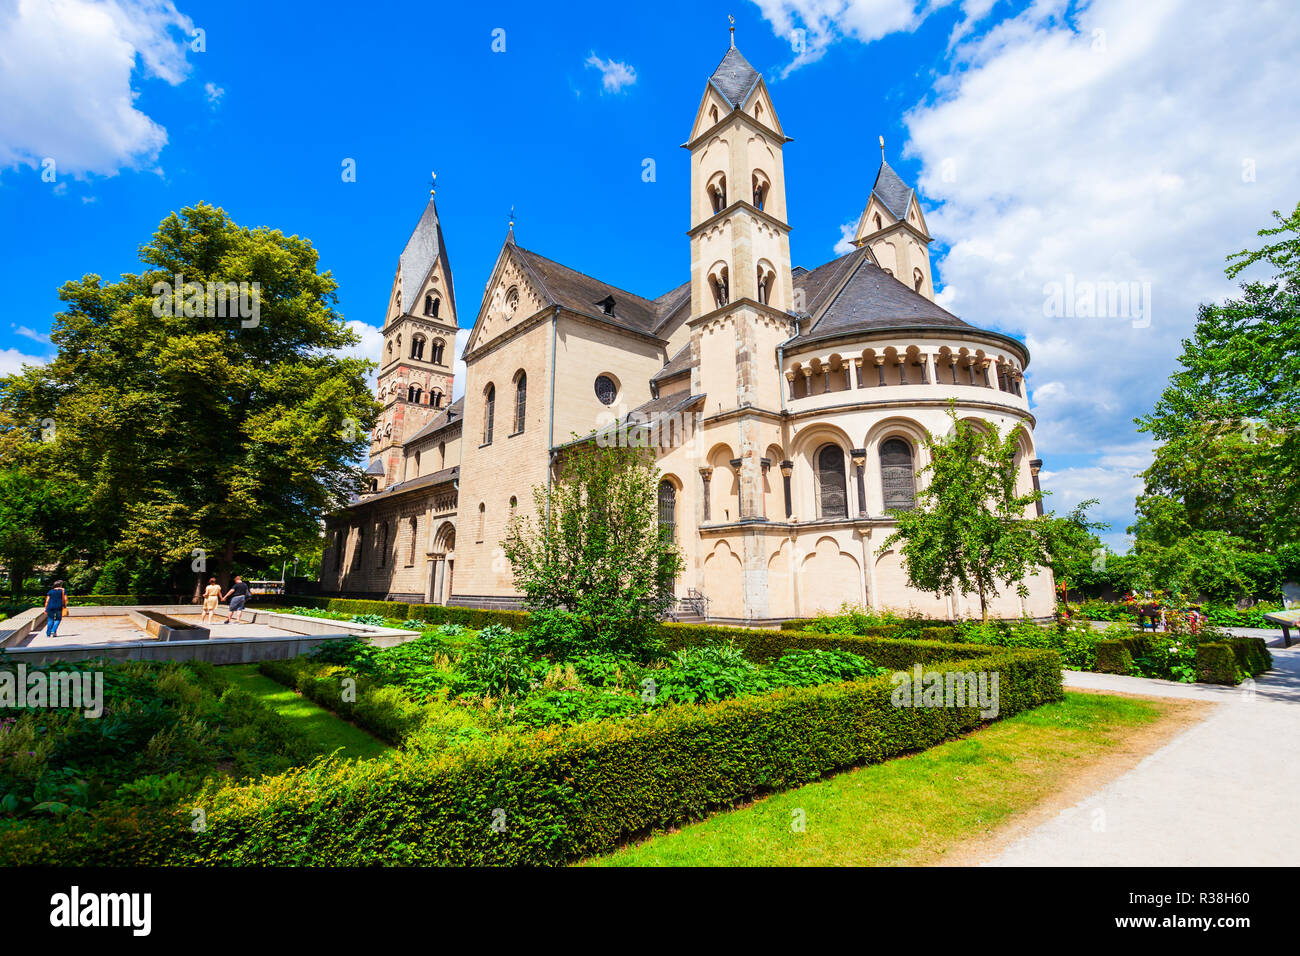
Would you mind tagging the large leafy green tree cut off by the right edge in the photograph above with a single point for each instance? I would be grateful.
(1229, 421)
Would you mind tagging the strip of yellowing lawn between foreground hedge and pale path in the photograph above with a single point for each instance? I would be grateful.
(911, 811)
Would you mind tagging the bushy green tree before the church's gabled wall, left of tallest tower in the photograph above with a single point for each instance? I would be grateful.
(596, 551)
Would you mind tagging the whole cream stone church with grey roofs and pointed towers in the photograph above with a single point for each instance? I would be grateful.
(787, 406)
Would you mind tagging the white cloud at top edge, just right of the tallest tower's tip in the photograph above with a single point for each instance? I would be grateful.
(813, 27)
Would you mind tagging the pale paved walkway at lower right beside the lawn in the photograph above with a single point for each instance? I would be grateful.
(1227, 791)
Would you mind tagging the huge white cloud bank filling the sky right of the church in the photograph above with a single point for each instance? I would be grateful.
(1108, 149)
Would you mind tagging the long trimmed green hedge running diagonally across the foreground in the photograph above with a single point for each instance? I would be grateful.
(560, 794)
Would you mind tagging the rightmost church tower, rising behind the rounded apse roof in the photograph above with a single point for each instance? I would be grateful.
(895, 228)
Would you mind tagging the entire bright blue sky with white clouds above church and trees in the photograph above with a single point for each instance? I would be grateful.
(1052, 144)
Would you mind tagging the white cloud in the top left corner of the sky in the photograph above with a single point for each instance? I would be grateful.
(66, 81)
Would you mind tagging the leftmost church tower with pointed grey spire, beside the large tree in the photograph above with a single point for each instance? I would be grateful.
(419, 347)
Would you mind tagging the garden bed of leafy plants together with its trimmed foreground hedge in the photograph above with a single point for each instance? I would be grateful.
(487, 785)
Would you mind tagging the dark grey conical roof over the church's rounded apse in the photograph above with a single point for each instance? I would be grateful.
(853, 295)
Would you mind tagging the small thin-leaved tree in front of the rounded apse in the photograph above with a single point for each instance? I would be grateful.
(969, 531)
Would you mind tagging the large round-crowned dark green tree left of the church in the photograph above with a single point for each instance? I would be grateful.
(190, 431)
